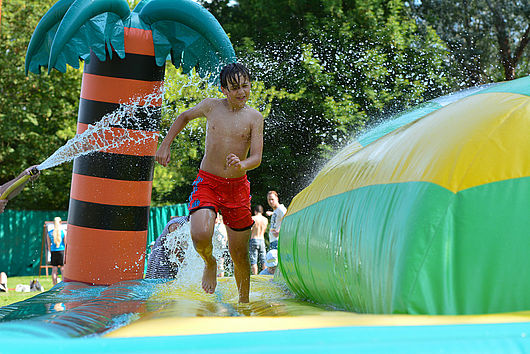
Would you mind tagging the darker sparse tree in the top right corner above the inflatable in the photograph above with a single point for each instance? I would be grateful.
(488, 39)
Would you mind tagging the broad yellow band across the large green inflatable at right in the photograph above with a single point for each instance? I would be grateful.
(474, 141)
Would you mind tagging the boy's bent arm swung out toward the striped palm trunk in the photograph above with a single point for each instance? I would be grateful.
(163, 154)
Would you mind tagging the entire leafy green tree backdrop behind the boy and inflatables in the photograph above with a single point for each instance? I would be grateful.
(322, 71)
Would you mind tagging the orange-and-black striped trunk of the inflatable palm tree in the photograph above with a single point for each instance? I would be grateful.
(111, 189)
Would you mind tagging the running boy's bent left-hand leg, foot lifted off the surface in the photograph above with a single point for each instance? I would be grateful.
(202, 224)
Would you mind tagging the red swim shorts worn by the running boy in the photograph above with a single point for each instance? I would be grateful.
(230, 196)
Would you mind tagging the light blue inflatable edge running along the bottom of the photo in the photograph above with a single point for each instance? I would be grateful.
(483, 338)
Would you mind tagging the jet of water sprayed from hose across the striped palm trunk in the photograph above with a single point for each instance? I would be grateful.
(109, 133)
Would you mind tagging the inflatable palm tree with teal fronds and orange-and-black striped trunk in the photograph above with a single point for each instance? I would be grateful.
(124, 54)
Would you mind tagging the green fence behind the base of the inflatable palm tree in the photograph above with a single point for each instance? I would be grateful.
(21, 235)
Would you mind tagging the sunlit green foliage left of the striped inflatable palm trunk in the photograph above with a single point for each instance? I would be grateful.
(38, 113)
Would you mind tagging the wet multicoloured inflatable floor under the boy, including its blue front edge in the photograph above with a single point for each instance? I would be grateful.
(140, 316)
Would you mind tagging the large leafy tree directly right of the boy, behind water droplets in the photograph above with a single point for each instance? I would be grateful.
(352, 62)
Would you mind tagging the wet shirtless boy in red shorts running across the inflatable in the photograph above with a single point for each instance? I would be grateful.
(234, 144)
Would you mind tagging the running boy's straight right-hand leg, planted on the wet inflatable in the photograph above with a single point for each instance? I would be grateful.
(238, 245)
